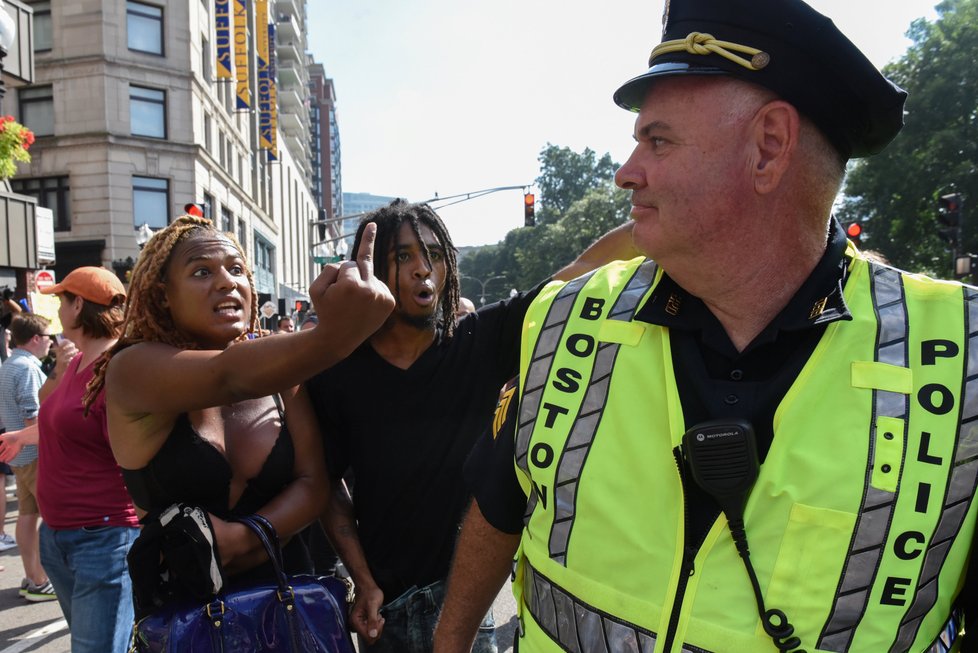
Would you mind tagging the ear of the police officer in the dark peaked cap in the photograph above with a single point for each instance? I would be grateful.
(774, 132)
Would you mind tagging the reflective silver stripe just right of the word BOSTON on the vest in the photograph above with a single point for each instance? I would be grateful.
(585, 426)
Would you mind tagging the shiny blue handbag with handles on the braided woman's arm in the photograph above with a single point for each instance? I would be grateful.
(294, 614)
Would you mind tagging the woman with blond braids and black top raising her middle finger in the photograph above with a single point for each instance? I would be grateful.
(192, 412)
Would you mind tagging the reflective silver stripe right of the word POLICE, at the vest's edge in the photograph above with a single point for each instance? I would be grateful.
(960, 490)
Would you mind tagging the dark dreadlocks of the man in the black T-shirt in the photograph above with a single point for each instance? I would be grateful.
(389, 220)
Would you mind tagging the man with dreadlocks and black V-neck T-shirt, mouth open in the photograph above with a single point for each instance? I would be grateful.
(432, 382)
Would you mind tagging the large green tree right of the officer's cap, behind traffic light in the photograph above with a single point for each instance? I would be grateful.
(896, 191)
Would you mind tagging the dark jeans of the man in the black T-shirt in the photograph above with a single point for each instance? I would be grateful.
(409, 624)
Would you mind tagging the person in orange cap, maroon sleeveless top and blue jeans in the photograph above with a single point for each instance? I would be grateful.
(89, 521)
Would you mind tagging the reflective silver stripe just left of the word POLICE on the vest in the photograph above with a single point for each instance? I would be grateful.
(872, 523)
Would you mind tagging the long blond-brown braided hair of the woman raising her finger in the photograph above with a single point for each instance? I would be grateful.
(147, 318)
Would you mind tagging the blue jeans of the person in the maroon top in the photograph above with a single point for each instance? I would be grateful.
(87, 567)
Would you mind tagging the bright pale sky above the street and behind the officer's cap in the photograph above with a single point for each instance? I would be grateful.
(450, 97)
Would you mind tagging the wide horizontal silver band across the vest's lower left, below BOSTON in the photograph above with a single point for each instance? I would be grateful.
(578, 627)
